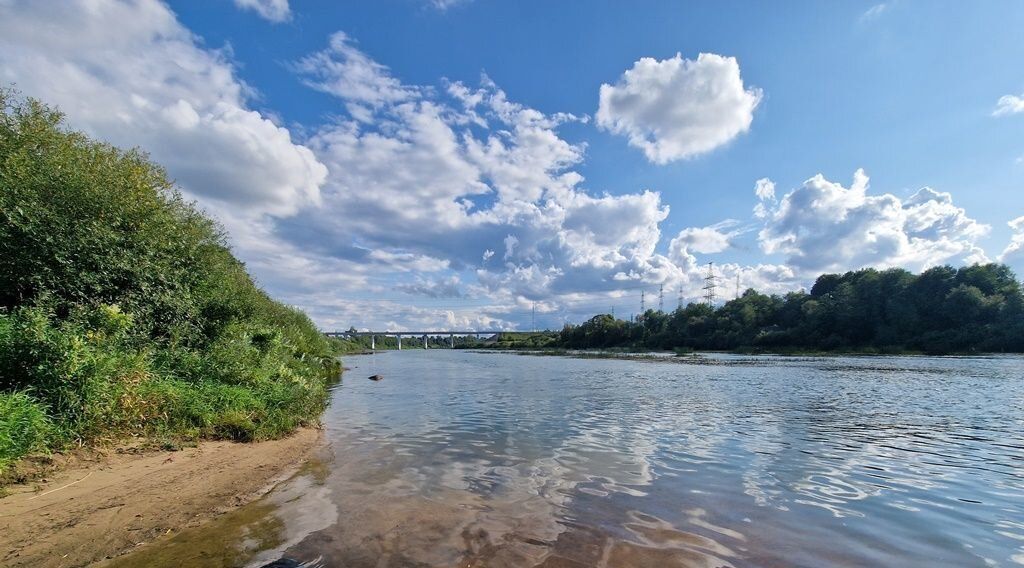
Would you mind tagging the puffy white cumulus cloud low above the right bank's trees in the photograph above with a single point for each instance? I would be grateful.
(823, 227)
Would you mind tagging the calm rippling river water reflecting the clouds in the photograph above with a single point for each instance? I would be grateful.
(462, 459)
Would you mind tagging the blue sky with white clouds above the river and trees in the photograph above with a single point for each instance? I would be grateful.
(491, 164)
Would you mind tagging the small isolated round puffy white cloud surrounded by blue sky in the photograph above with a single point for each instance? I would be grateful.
(678, 109)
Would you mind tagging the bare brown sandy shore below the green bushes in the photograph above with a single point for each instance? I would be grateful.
(91, 512)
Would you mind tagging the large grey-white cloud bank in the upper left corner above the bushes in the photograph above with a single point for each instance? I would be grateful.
(154, 85)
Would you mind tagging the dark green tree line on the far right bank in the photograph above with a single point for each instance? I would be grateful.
(977, 309)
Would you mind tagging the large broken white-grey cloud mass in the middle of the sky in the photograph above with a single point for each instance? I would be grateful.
(447, 173)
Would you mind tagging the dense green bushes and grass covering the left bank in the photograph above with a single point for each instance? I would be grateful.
(122, 310)
